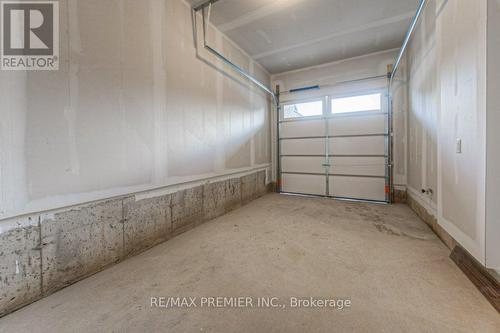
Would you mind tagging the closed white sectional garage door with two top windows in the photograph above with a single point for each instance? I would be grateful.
(336, 147)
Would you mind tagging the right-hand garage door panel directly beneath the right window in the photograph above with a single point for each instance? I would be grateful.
(355, 125)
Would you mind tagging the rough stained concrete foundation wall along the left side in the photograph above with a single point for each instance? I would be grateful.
(40, 254)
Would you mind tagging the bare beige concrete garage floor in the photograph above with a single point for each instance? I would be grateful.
(383, 258)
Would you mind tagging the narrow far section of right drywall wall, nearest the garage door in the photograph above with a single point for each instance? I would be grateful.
(423, 97)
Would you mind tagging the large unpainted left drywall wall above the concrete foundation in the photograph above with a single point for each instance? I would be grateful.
(131, 108)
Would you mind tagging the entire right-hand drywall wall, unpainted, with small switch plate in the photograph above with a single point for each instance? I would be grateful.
(447, 94)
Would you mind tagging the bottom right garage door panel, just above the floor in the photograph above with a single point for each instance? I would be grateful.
(358, 188)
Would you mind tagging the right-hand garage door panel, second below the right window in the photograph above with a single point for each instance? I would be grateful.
(358, 146)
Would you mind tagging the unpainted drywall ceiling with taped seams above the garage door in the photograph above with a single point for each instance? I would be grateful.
(284, 35)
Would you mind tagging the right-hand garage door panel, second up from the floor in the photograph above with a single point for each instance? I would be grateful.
(359, 166)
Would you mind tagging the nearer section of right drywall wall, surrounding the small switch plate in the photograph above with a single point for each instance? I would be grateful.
(461, 29)
